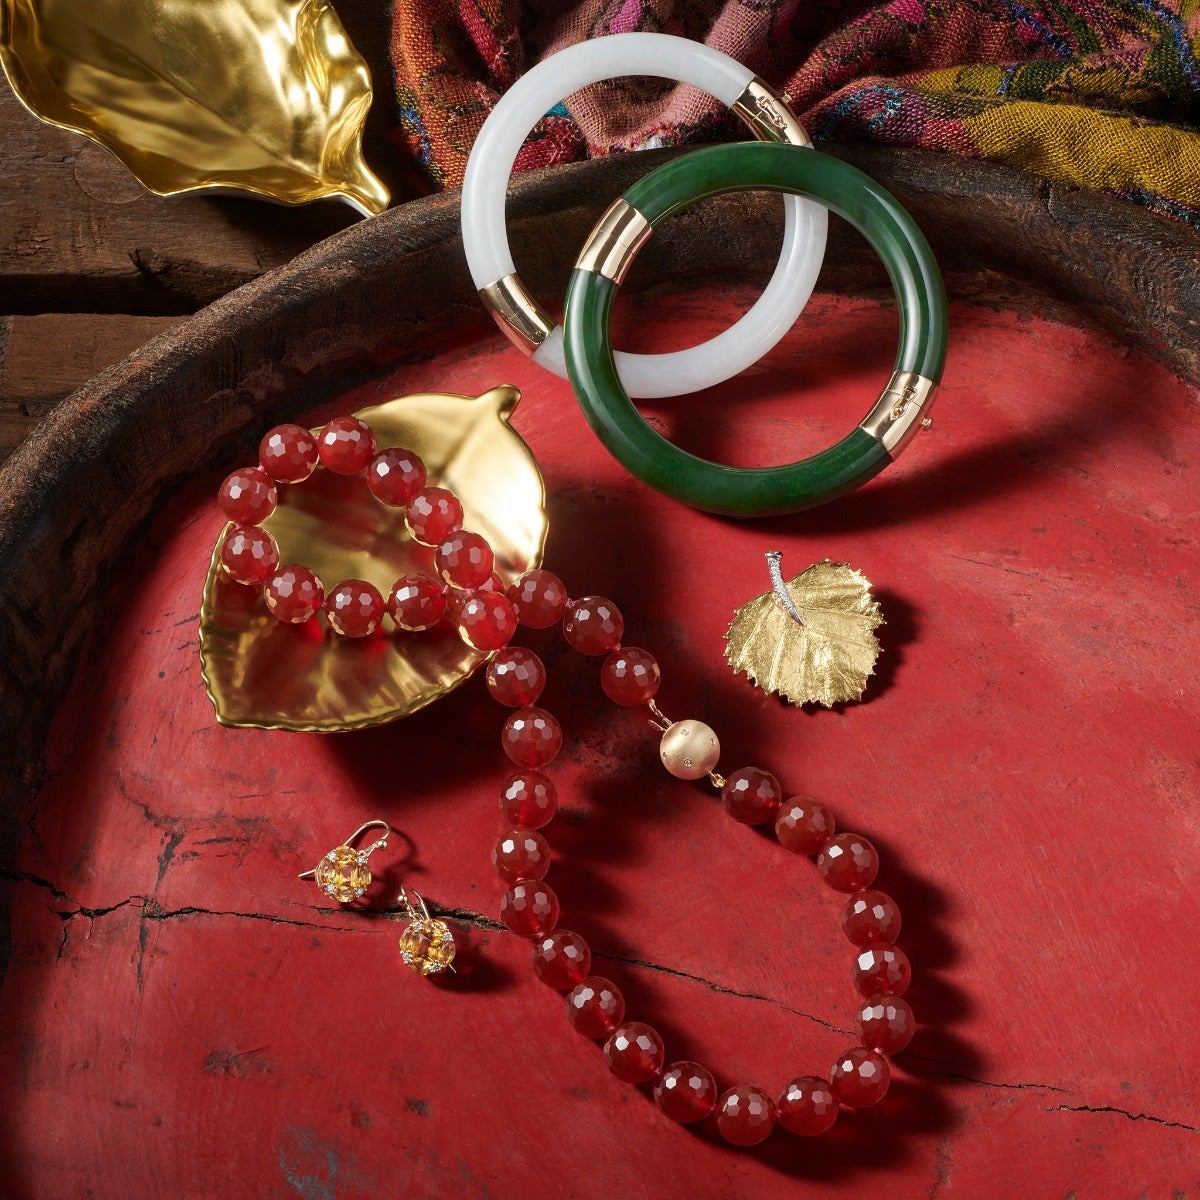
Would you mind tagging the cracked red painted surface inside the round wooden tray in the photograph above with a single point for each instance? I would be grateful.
(183, 1017)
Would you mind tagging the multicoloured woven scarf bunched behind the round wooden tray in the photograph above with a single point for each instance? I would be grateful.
(1102, 95)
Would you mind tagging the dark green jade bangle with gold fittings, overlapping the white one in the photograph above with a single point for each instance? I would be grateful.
(737, 491)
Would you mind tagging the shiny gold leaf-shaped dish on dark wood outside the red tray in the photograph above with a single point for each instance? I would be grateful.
(265, 97)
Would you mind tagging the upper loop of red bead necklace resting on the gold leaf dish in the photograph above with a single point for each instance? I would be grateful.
(465, 591)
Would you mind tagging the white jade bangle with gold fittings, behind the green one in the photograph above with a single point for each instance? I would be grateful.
(485, 237)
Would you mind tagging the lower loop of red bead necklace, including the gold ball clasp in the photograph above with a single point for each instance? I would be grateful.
(685, 1091)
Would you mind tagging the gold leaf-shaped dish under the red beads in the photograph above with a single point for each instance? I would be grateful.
(266, 675)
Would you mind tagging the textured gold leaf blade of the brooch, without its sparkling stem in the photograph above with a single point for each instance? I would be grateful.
(825, 661)
